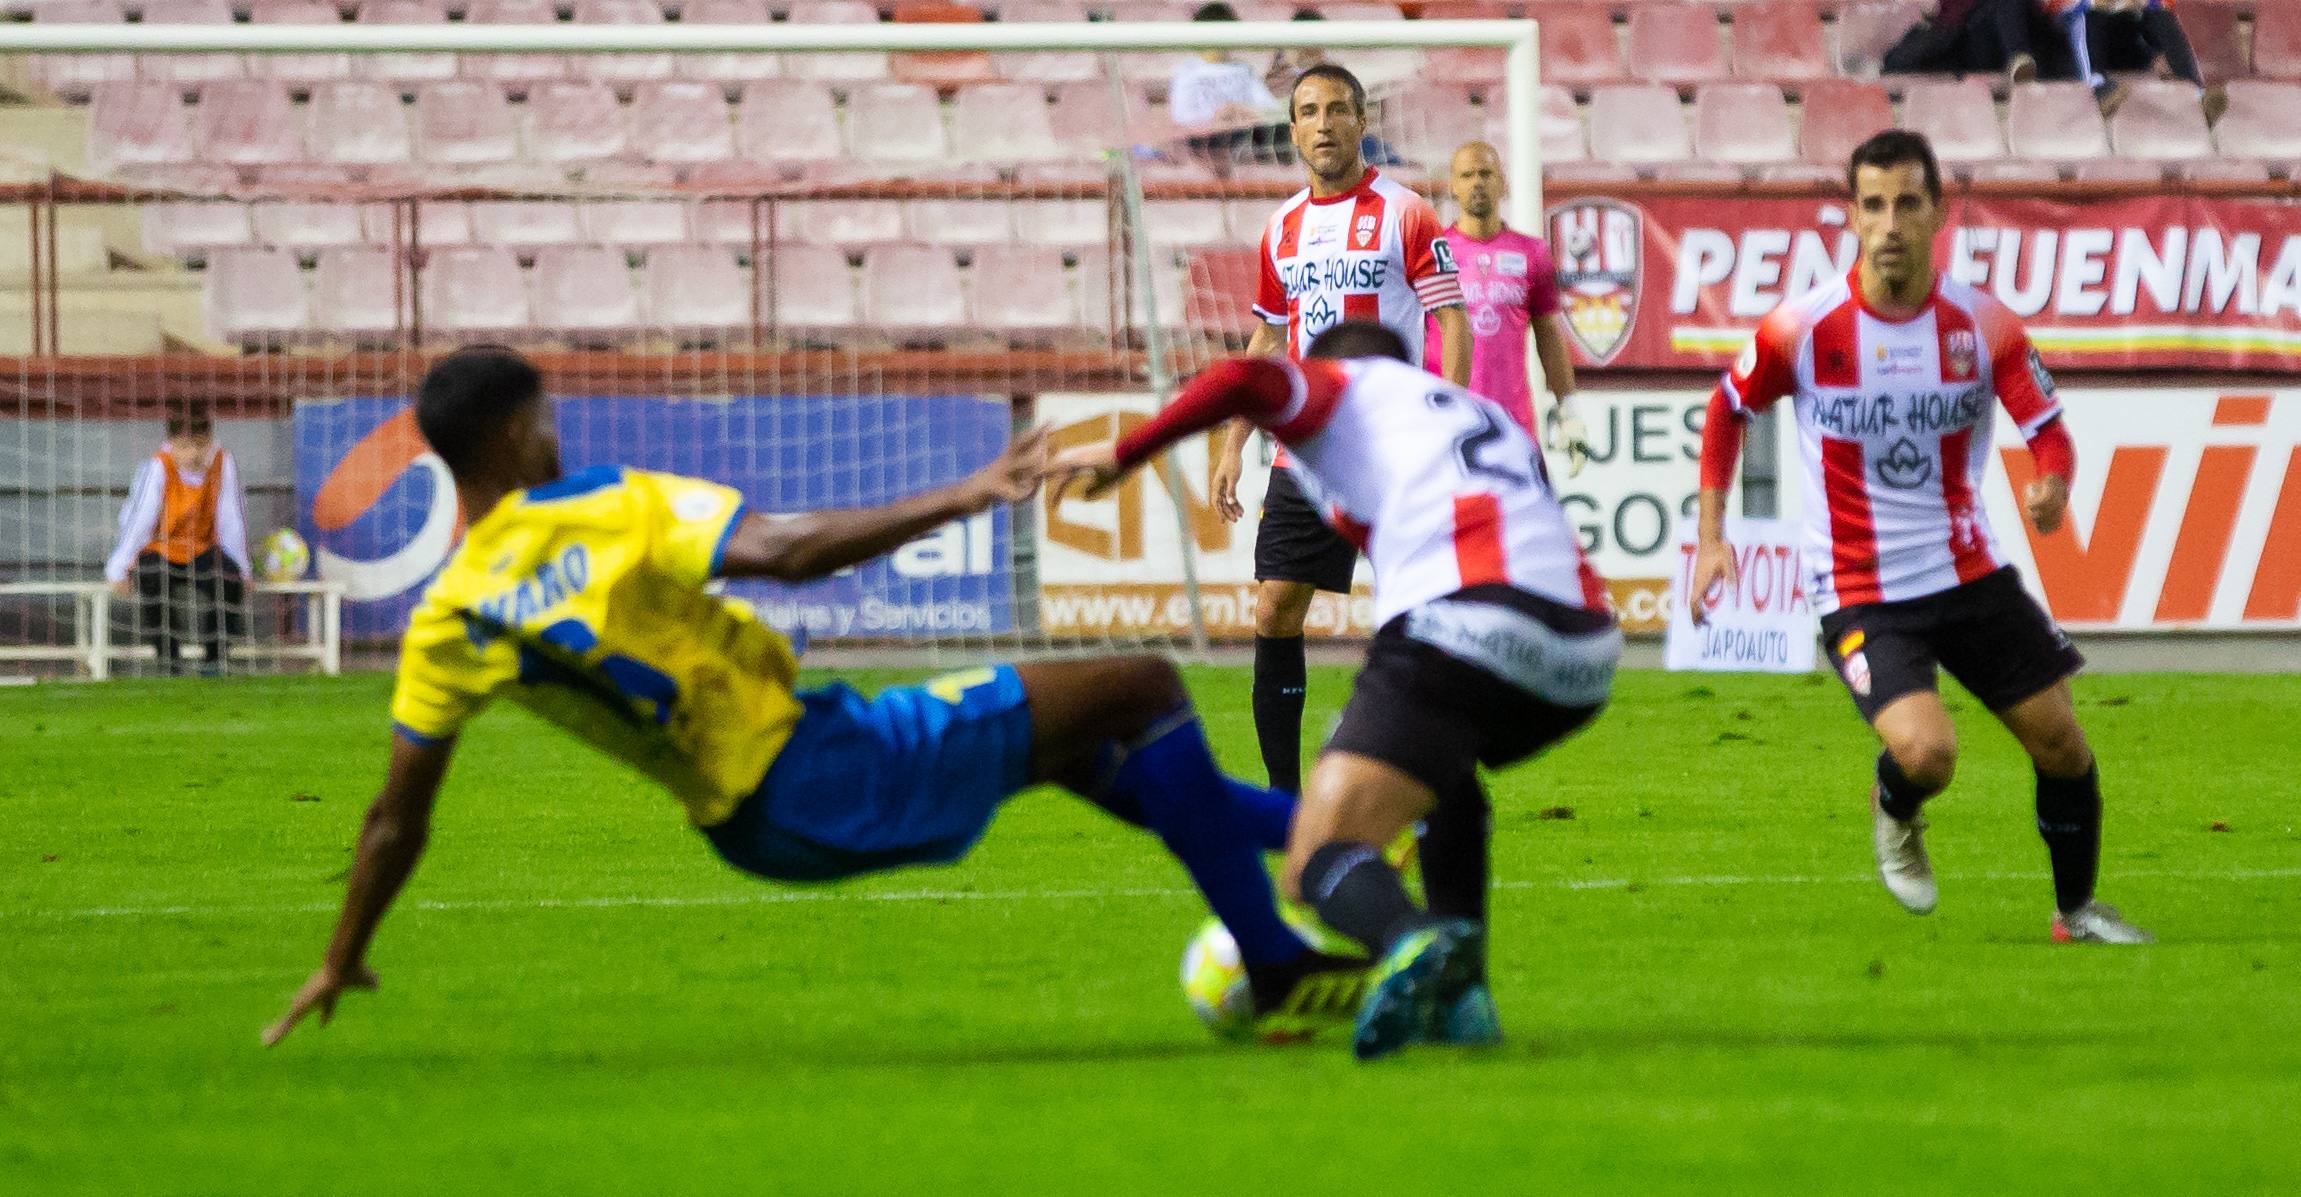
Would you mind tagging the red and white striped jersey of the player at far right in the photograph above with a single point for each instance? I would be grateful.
(1895, 425)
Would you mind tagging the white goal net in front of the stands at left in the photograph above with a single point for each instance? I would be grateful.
(823, 264)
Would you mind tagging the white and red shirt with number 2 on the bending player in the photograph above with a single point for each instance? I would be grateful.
(1435, 485)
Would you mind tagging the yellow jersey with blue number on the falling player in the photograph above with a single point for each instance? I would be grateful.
(586, 602)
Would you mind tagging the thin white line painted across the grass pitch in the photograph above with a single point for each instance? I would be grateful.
(788, 897)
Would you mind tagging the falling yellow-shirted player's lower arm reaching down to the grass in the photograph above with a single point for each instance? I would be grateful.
(390, 846)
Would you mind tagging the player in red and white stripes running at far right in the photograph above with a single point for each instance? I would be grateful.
(1895, 376)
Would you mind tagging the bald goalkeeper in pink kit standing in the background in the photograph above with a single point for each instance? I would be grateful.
(1511, 289)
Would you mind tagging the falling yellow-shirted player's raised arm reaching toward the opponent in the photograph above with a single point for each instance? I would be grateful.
(818, 544)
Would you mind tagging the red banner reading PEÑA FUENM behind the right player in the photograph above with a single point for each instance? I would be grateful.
(2182, 282)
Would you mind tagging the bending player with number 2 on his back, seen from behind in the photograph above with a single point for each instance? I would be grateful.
(1494, 641)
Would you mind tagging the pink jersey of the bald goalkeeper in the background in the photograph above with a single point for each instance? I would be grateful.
(1508, 284)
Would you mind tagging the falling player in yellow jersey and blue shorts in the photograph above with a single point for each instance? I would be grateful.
(586, 600)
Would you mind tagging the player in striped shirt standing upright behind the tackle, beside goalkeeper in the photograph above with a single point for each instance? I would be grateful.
(1354, 245)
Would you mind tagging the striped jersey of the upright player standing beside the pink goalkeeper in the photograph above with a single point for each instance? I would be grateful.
(1373, 252)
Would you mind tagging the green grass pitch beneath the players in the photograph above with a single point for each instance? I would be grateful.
(1702, 984)
